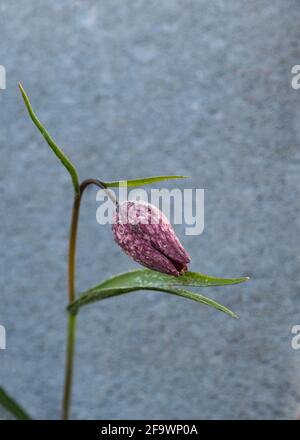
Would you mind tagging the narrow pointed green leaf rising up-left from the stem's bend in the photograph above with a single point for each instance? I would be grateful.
(57, 151)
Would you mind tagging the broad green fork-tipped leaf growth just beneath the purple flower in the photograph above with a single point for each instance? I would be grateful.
(145, 279)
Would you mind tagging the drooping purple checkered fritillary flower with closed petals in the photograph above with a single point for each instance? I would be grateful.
(145, 234)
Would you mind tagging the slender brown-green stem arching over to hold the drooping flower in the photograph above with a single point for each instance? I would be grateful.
(71, 290)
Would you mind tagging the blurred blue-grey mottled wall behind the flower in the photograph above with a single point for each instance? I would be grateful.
(132, 88)
